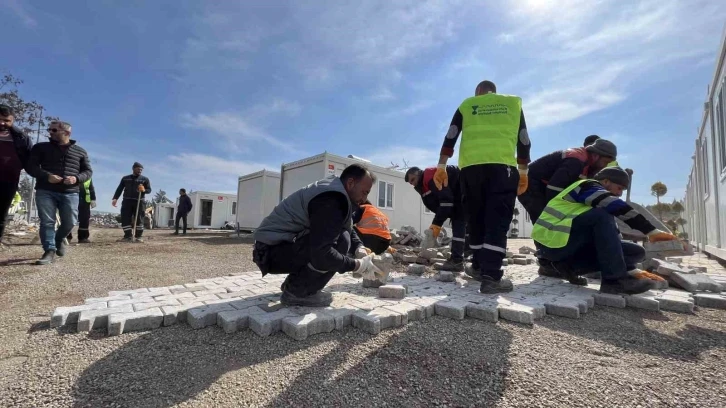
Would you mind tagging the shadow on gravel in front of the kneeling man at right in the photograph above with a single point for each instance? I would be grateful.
(626, 329)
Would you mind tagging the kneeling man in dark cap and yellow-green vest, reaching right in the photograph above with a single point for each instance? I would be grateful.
(577, 231)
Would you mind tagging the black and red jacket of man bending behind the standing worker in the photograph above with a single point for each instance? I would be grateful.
(445, 203)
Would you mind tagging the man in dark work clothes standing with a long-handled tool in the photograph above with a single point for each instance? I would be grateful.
(134, 187)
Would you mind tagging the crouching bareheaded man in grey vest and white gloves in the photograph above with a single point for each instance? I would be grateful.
(309, 236)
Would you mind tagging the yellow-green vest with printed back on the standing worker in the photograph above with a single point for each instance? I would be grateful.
(490, 129)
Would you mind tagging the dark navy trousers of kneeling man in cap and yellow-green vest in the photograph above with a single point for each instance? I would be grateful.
(595, 245)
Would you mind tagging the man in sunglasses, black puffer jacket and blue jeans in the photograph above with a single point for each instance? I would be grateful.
(59, 166)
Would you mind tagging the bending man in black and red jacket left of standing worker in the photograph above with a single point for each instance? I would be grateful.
(445, 203)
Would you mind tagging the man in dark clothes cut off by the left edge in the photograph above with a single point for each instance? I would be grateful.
(15, 149)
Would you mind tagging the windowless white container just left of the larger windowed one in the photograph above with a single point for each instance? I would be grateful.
(257, 195)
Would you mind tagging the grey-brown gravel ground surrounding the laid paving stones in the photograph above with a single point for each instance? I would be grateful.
(609, 357)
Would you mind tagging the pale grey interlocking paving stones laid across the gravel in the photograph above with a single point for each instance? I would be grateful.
(249, 301)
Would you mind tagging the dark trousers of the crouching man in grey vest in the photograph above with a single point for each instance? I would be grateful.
(293, 258)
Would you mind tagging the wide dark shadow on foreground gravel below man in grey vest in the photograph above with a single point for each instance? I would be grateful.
(423, 364)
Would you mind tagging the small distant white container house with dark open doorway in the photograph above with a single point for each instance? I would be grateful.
(211, 210)
